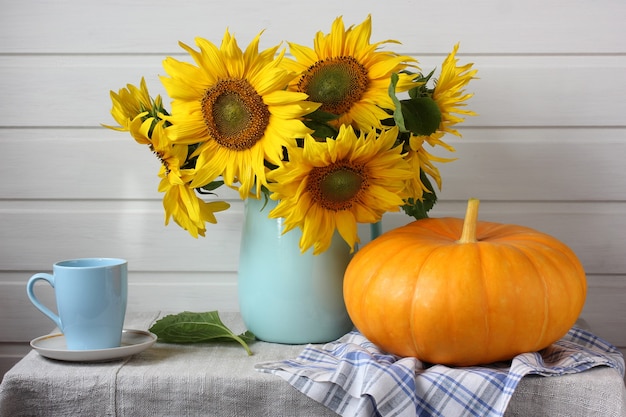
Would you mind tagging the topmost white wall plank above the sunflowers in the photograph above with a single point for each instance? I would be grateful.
(153, 26)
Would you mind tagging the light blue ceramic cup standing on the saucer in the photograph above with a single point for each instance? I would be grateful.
(91, 296)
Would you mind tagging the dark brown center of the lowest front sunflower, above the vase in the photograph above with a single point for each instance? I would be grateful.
(336, 187)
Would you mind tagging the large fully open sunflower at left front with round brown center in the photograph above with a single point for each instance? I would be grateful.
(233, 104)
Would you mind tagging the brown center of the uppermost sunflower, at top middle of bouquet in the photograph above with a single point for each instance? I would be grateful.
(337, 83)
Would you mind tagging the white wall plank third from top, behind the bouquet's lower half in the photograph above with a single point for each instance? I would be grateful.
(542, 164)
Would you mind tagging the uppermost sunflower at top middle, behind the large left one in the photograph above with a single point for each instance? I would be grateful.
(348, 75)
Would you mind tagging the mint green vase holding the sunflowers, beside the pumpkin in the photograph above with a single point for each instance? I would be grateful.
(286, 296)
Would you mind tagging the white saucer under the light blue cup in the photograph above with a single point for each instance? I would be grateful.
(53, 346)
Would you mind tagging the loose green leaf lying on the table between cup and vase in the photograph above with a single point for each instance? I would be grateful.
(189, 327)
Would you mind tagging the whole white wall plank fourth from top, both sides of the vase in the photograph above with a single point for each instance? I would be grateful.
(36, 234)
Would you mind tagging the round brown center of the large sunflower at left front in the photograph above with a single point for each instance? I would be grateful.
(235, 114)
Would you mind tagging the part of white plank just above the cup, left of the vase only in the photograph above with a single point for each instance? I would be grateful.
(36, 234)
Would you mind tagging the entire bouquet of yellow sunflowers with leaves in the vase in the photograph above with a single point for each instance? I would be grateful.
(322, 131)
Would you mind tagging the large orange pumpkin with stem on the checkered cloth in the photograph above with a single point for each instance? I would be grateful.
(464, 293)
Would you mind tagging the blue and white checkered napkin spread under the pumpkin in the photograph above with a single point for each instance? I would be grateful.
(352, 377)
